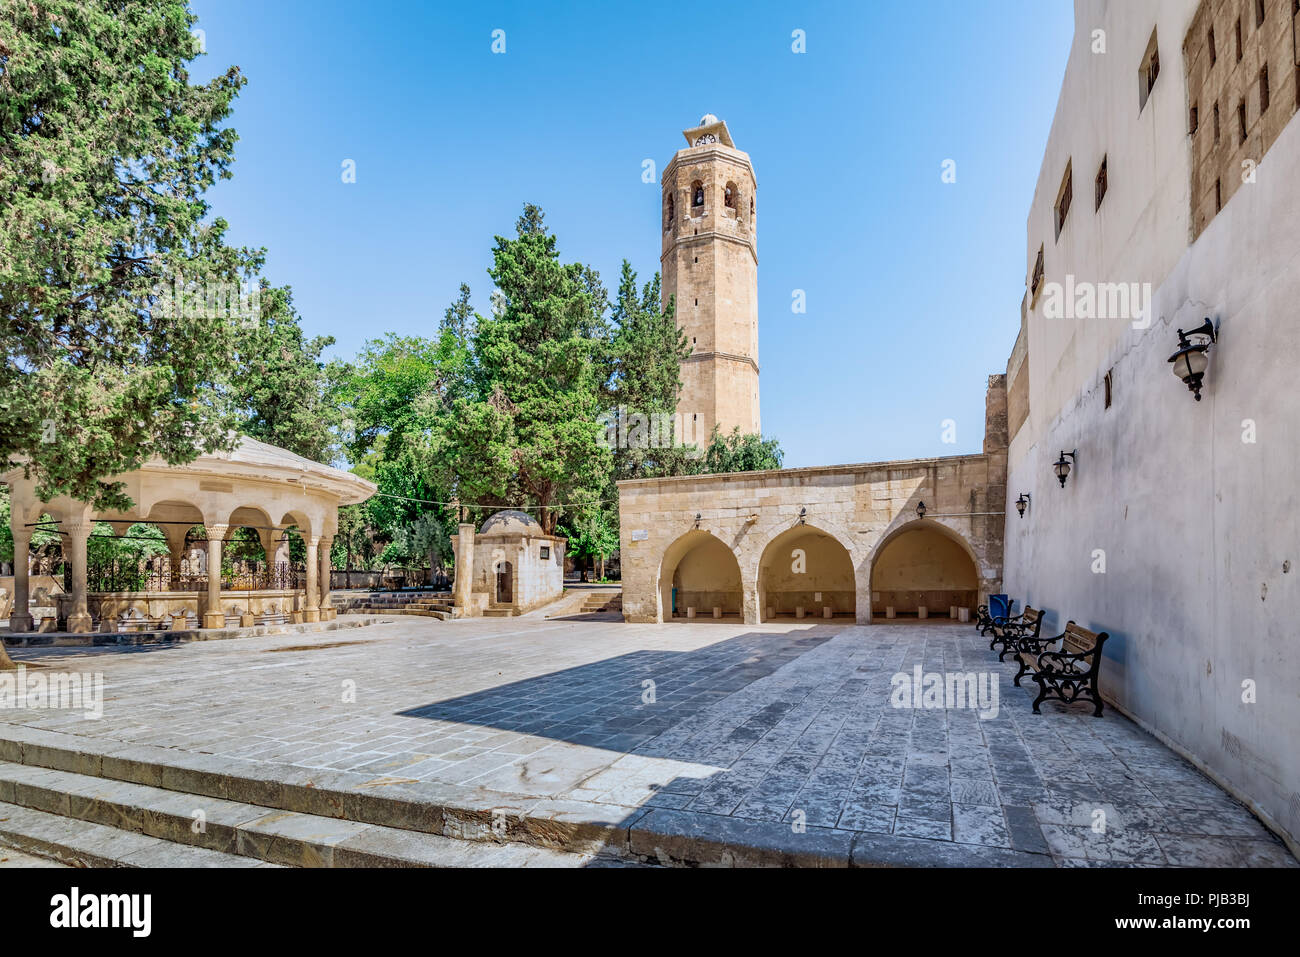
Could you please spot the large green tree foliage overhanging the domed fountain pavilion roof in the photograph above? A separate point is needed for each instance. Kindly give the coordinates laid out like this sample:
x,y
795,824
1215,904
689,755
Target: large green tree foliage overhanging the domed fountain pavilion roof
x,y
106,154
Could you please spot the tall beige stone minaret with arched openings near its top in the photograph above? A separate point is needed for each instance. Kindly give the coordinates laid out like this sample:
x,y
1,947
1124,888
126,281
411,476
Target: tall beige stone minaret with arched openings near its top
x,y
710,265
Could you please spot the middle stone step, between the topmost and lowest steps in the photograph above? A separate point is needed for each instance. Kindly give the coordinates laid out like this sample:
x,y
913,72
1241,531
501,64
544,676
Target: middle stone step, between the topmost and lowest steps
x,y
232,829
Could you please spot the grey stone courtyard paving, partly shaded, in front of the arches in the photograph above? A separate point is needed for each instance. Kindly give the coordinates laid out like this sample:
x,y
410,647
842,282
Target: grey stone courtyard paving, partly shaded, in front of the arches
x,y
777,725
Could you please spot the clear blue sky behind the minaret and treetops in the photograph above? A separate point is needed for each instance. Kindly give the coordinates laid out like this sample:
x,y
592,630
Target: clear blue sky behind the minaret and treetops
x,y
913,285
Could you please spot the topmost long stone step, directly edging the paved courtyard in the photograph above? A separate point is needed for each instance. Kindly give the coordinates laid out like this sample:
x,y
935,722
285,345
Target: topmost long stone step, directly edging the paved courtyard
x,y
603,834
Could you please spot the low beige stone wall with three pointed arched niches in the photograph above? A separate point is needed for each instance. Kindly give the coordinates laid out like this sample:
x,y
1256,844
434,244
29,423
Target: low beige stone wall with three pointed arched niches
x,y
861,508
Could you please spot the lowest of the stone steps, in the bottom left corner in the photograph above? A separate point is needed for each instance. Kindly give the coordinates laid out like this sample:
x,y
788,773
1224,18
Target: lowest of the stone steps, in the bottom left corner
x,y
85,845
